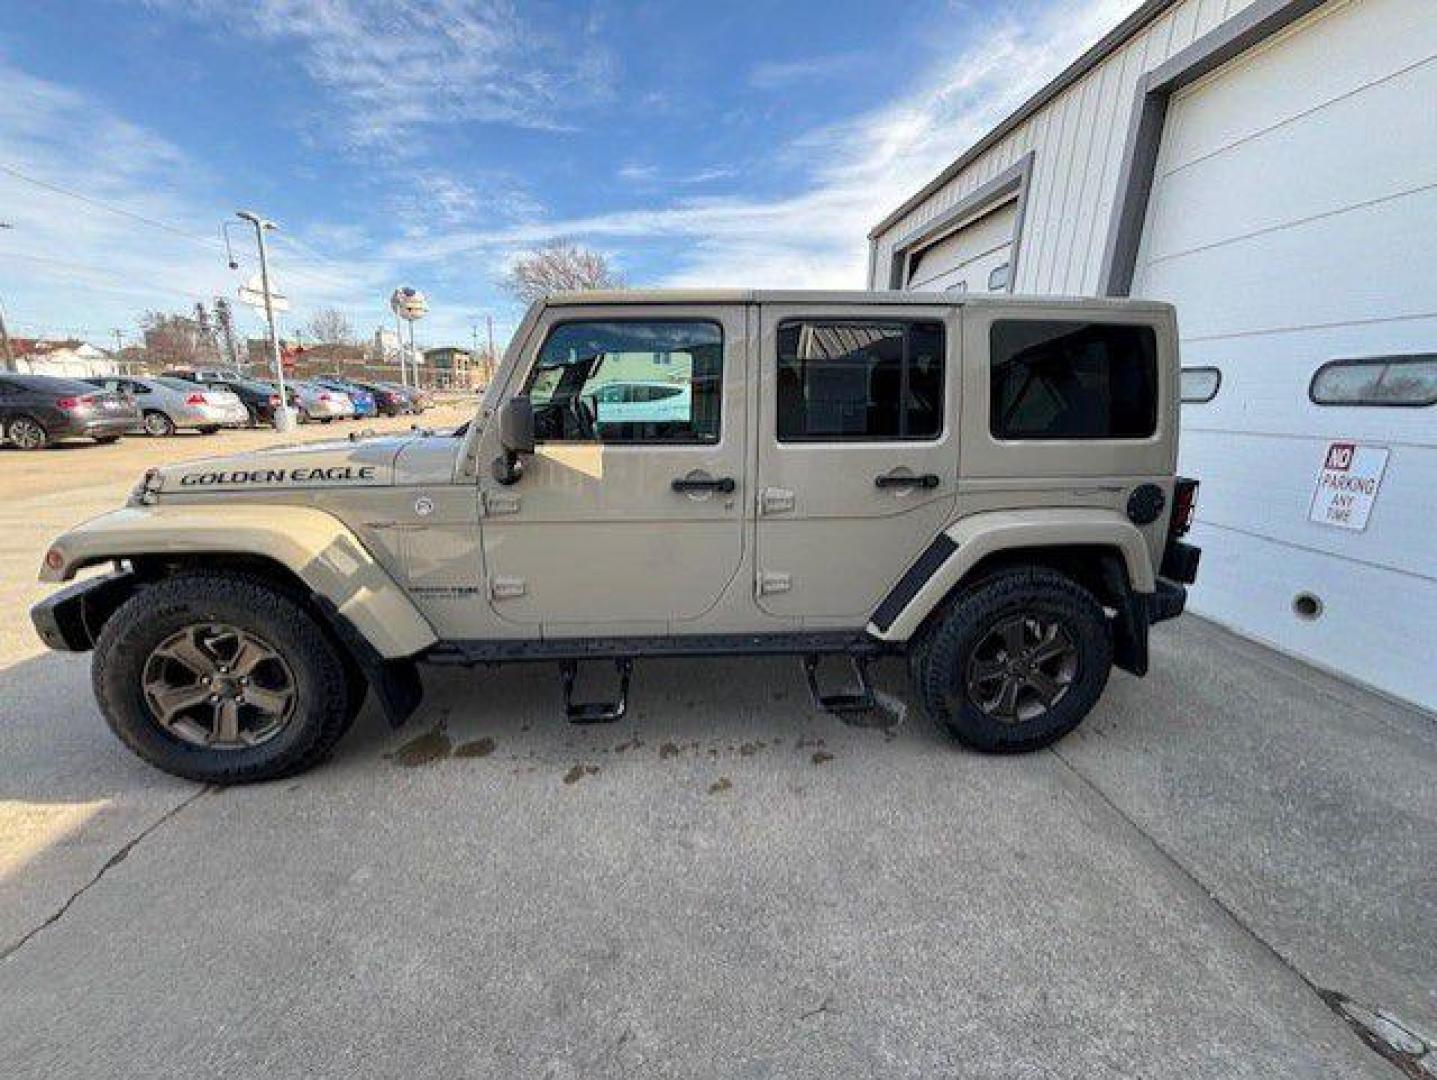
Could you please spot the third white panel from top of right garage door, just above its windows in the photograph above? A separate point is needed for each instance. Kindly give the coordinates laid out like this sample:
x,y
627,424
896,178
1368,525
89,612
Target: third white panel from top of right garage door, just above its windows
x,y
1366,265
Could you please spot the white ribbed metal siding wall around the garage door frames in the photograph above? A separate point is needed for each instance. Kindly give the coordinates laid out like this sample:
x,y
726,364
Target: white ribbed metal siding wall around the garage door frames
x,y
1080,139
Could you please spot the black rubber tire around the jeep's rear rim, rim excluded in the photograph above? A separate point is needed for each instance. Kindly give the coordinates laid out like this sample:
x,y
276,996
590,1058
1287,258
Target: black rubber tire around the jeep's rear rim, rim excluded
x,y
941,664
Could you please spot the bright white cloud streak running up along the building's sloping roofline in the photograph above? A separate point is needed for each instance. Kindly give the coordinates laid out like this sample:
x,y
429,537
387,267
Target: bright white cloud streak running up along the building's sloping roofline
x,y
857,170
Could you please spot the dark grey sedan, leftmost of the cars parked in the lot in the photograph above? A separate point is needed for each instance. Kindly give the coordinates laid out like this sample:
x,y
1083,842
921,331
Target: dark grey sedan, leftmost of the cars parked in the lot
x,y
38,411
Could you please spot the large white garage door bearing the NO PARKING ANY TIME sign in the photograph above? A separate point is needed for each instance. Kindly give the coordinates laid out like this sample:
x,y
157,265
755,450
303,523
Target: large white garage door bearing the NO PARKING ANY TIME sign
x,y
1294,222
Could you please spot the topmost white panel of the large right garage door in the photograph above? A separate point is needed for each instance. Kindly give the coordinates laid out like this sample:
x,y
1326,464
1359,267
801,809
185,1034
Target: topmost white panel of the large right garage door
x,y
1357,45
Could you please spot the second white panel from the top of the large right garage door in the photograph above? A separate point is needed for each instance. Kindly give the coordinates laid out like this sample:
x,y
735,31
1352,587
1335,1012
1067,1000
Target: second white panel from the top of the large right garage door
x,y
1363,149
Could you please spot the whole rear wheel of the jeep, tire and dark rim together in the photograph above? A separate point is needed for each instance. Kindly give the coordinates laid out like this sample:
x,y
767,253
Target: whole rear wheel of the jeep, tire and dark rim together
x,y
1017,663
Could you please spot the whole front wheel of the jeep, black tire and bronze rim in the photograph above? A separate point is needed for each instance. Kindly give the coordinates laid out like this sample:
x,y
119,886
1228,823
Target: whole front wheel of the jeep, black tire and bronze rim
x,y
222,679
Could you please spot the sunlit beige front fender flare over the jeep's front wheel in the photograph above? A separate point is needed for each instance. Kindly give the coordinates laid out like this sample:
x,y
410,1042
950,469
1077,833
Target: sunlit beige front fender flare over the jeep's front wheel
x,y
313,545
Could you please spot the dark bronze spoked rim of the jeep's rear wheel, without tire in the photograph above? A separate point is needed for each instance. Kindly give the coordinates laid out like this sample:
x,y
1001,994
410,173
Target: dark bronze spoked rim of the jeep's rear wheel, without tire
x,y
1022,669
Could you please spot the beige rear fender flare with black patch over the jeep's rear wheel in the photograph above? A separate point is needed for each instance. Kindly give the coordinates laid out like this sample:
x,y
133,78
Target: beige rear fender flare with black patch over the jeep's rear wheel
x,y
965,544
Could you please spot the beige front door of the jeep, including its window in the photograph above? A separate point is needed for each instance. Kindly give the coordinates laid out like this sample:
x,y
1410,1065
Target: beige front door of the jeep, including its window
x,y
629,518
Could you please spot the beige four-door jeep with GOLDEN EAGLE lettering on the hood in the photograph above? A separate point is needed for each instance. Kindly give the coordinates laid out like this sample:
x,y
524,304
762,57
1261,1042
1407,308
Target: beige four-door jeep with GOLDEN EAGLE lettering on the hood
x,y
985,486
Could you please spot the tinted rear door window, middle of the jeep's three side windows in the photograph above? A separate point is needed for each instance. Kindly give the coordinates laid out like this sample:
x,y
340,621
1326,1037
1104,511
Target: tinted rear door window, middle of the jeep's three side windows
x,y
860,381
